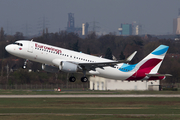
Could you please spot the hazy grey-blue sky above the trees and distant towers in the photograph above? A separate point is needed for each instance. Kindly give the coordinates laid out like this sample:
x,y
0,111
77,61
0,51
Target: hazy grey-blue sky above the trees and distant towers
x,y
27,16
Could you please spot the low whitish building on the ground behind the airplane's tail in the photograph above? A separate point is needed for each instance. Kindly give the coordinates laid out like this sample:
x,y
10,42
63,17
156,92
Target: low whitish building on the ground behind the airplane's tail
x,y
99,83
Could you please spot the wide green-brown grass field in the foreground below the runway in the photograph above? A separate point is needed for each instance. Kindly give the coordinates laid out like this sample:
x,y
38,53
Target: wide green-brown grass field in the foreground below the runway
x,y
90,108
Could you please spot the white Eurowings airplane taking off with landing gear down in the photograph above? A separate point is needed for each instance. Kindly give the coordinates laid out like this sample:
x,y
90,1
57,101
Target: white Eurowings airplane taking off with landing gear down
x,y
55,59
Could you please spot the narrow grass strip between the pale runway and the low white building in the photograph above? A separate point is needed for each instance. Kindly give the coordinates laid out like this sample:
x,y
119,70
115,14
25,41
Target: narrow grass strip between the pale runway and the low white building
x,y
78,91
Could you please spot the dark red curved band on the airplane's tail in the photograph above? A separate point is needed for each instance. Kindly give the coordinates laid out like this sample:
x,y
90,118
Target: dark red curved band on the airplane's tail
x,y
145,69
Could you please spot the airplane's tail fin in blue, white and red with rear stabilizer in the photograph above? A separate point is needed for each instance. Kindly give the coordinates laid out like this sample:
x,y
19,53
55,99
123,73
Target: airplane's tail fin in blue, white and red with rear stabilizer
x,y
150,64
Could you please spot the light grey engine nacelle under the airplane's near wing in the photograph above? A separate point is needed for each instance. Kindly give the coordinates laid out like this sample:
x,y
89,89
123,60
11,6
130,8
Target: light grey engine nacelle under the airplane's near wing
x,y
68,67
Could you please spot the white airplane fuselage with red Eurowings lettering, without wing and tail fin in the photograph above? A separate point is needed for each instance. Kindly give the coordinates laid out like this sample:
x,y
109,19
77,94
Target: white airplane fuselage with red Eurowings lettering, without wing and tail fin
x,y
51,55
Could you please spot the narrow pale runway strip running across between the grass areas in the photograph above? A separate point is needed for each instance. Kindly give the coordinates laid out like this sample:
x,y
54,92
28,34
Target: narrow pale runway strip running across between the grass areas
x,y
91,96
